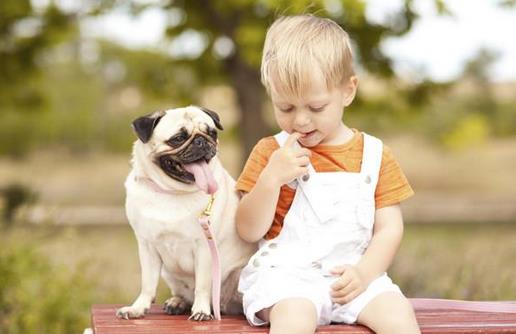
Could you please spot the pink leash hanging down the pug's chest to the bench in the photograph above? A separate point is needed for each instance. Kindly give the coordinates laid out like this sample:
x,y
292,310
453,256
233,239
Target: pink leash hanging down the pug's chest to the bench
x,y
204,221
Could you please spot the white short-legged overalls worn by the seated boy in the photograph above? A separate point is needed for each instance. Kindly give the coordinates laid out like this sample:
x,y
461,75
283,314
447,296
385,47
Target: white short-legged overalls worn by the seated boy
x,y
330,223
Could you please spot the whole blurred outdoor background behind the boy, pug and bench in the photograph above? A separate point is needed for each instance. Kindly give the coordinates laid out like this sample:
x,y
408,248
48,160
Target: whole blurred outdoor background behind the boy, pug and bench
x,y
437,84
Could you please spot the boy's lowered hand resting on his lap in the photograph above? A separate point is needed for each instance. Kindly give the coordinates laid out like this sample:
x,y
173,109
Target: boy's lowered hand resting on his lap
x,y
348,286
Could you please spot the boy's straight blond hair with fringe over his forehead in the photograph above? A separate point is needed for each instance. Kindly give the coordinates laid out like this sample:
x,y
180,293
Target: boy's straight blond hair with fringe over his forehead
x,y
296,46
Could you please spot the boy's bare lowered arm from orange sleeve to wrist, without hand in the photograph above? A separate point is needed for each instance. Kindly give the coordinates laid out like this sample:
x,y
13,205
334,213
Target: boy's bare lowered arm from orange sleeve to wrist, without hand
x,y
387,235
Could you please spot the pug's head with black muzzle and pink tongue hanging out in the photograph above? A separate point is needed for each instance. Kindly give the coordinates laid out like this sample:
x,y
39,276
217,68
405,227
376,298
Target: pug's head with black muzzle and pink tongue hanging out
x,y
182,142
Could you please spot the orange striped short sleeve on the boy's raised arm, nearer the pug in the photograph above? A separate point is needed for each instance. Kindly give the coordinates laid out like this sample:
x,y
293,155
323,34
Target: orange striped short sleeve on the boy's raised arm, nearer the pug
x,y
256,162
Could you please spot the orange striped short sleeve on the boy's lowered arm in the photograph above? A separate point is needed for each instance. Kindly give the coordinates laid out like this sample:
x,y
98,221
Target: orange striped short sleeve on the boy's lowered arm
x,y
393,186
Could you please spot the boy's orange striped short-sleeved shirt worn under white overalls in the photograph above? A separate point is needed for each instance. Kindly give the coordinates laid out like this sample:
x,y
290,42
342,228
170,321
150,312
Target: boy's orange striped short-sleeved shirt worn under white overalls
x,y
392,187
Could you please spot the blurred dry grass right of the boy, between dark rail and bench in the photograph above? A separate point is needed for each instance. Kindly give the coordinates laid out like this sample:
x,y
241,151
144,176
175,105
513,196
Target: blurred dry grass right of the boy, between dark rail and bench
x,y
465,263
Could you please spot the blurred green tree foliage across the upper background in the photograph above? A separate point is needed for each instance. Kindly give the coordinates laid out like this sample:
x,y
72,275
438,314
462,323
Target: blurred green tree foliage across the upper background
x,y
51,100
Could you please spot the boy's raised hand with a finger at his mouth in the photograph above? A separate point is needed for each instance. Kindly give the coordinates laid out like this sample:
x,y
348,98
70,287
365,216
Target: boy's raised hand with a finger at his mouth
x,y
288,162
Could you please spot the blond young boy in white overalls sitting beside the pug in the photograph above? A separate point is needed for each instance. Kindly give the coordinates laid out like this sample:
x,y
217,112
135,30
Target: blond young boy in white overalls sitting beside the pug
x,y
322,199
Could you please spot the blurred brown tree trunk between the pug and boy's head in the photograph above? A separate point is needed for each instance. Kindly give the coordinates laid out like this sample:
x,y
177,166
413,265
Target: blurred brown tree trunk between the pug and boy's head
x,y
246,82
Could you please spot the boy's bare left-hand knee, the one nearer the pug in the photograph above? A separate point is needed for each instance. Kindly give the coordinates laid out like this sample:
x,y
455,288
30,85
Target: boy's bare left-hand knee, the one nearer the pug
x,y
296,315
